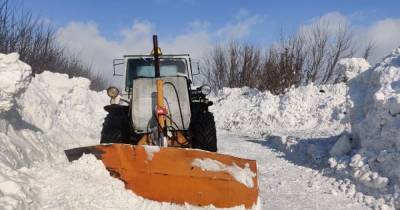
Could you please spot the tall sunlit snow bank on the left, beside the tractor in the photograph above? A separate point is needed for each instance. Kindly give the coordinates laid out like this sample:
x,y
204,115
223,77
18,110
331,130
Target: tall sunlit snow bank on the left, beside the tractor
x,y
39,118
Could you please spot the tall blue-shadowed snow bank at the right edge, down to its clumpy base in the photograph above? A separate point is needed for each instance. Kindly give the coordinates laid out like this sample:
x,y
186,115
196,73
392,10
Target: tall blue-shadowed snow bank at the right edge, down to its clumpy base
x,y
375,117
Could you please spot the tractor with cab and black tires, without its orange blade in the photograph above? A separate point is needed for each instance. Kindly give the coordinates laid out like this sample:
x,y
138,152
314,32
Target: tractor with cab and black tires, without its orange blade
x,y
159,86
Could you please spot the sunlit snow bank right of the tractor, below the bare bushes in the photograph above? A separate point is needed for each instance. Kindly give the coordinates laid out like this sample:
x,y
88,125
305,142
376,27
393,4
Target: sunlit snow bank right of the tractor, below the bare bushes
x,y
253,113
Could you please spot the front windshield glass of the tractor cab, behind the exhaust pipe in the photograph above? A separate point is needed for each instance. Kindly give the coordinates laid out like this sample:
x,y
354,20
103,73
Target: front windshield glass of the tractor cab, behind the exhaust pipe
x,y
144,67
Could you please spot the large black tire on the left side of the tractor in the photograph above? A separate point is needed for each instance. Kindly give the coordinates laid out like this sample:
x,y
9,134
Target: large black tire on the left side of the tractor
x,y
116,126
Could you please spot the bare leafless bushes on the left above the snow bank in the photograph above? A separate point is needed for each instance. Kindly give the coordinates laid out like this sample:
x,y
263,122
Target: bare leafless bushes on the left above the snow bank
x,y
36,45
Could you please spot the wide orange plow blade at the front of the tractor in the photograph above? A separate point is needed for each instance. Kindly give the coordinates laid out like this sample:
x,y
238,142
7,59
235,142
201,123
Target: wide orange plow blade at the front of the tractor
x,y
171,175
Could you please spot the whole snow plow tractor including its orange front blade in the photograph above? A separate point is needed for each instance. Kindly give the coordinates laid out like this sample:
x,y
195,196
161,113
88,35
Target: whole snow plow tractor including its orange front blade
x,y
160,138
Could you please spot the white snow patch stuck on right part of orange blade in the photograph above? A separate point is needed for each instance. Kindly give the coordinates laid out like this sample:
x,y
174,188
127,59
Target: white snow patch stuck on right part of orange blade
x,y
243,175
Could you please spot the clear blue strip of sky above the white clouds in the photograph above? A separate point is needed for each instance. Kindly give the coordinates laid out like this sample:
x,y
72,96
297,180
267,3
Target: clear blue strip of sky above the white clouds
x,y
171,18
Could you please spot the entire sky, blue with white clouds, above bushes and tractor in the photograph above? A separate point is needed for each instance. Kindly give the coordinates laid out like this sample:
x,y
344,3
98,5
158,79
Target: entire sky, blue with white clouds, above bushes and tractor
x,y
100,30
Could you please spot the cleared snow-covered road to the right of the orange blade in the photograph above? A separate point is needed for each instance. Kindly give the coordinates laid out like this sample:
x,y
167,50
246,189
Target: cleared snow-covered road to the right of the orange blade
x,y
284,185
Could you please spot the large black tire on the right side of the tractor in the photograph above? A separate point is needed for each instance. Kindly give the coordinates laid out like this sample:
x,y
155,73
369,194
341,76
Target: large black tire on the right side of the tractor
x,y
202,131
